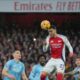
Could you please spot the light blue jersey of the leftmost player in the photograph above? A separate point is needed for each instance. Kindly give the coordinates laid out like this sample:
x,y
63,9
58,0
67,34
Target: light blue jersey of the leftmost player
x,y
14,68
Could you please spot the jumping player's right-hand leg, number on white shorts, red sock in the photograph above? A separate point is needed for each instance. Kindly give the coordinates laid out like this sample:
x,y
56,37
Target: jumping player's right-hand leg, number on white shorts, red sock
x,y
60,69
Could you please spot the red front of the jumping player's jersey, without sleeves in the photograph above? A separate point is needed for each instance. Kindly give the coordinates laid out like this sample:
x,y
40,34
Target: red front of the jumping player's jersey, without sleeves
x,y
56,47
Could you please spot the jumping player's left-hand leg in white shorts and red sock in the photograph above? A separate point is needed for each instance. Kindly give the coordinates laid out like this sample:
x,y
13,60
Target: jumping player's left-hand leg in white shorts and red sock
x,y
47,69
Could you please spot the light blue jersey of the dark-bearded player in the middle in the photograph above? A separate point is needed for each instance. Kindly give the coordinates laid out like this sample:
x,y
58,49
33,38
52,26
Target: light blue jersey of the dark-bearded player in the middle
x,y
35,73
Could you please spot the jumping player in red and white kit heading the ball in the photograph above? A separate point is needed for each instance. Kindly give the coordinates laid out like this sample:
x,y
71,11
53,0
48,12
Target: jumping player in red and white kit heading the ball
x,y
57,43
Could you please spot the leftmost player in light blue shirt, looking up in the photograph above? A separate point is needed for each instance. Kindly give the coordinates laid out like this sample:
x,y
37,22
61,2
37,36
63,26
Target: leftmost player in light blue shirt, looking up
x,y
14,69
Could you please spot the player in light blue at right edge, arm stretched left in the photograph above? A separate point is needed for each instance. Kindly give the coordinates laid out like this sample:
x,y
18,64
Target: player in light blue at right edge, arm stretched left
x,y
76,71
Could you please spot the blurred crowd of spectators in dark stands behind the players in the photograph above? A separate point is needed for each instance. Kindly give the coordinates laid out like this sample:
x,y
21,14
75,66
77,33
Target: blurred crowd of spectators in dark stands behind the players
x,y
29,42
